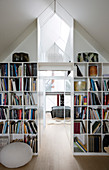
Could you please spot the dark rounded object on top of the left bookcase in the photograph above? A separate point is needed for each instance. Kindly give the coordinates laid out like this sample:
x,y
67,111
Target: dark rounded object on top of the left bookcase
x,y
20,57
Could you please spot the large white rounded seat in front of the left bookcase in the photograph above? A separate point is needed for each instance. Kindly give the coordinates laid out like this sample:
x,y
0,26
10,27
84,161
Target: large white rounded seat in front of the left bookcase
x,y
15,155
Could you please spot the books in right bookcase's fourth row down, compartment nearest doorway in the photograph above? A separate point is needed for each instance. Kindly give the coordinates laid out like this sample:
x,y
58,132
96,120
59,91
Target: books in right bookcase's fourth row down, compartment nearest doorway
x,y
80,112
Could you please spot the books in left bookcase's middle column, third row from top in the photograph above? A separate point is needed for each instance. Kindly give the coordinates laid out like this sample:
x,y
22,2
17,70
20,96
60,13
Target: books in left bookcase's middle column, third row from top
x,y
15,99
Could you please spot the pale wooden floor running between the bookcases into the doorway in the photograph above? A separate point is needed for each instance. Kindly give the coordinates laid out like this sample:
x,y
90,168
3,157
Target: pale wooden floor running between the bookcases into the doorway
x,y
55,154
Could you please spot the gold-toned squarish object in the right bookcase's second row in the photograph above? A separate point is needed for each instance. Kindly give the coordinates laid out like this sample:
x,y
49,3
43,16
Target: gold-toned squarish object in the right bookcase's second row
x,y
79,85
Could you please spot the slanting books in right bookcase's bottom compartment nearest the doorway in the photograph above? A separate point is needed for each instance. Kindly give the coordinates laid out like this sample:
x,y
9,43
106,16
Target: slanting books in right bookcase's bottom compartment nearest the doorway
x,y
80,147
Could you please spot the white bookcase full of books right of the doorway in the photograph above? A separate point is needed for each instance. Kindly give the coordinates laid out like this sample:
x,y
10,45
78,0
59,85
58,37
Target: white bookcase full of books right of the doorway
x,y
91,124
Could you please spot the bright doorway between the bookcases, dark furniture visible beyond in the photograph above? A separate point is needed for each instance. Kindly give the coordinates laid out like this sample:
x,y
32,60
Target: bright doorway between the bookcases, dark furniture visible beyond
x,y
57,97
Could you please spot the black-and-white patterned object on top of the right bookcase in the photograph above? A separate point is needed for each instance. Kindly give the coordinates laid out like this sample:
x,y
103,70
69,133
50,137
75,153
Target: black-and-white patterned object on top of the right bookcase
x,y
87,57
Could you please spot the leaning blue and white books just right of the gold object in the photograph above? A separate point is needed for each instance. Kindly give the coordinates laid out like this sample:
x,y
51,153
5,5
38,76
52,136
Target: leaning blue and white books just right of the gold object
x,y
94,85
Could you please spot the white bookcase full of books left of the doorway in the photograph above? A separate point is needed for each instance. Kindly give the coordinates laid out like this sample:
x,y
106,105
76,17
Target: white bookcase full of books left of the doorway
x,y
18,103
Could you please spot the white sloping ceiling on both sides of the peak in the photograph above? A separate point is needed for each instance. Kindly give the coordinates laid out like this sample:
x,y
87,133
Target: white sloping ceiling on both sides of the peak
x,y
17,15
